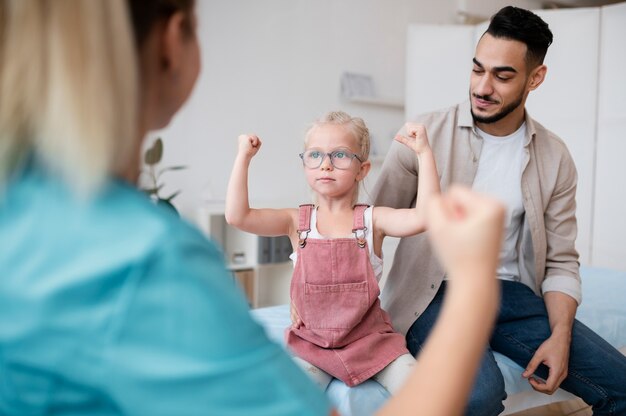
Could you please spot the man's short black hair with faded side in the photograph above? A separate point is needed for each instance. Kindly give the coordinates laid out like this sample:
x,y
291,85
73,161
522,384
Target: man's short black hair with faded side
x,y
524,26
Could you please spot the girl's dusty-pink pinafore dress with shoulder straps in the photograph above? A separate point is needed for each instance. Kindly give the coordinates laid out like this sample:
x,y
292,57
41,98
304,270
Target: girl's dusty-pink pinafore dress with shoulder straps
x,y
345,332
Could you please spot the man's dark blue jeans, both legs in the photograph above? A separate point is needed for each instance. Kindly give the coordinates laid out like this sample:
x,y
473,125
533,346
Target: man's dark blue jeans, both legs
x,y
597,371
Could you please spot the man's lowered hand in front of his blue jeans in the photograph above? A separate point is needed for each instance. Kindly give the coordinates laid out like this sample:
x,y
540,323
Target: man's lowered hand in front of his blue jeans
x,y
554,354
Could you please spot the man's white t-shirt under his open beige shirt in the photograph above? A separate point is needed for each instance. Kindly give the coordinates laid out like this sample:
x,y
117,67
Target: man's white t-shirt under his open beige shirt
x,y
500,175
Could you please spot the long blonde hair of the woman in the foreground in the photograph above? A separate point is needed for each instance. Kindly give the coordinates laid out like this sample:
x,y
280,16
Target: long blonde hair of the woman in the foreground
x,y
68,88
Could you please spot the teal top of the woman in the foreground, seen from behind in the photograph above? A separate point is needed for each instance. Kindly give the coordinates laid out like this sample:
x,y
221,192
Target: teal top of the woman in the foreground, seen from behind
x,y
112,305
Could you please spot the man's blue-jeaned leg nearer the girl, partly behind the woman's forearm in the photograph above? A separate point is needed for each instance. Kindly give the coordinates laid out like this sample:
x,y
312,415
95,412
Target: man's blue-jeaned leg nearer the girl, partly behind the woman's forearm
x,y
488,391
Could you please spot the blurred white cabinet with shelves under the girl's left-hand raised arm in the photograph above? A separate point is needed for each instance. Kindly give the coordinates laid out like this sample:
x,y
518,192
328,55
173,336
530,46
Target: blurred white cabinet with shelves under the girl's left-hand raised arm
x,y
259,264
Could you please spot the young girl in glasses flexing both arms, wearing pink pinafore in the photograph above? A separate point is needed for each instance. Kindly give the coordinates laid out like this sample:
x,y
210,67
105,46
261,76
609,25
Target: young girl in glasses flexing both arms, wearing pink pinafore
x,y
340,330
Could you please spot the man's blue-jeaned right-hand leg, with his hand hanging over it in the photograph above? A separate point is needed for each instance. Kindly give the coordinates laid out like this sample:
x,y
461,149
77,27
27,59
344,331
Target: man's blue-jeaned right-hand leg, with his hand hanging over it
x,y
597,371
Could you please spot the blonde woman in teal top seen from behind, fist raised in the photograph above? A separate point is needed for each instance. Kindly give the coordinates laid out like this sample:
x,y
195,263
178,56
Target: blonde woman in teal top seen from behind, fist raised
x,y
112,305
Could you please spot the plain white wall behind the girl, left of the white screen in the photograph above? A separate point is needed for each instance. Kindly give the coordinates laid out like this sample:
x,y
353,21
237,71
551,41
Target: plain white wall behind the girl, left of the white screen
x,y
271,67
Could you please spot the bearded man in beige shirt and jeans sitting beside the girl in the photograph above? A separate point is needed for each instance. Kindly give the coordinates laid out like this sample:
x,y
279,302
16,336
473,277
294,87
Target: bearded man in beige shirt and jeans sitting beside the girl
x,y
491,144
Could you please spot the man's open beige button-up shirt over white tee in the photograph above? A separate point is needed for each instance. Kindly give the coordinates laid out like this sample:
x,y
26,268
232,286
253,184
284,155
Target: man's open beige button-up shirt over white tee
x,y
547,256
